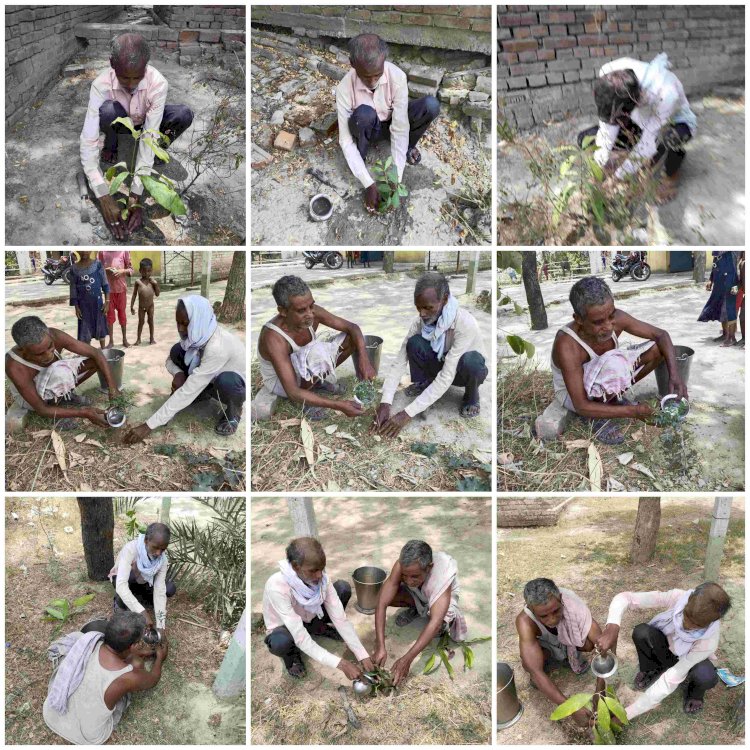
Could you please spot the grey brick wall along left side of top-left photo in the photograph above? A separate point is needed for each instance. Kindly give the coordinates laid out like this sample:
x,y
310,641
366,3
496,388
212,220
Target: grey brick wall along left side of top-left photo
x,y
39,39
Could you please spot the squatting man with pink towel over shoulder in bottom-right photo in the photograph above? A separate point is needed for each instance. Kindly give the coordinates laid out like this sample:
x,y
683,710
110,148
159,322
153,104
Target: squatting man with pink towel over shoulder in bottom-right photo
x,y
555,627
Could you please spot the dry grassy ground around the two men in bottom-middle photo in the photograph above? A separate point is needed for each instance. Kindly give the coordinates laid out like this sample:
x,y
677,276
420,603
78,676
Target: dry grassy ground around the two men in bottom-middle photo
x,y
426,709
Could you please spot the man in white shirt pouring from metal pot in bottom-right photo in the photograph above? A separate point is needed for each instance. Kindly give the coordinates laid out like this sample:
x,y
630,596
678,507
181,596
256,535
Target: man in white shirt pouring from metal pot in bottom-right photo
x,y
675,647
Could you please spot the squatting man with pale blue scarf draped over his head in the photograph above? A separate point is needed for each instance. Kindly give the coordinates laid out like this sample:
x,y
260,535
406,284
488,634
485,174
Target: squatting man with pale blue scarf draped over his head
x,y
208,362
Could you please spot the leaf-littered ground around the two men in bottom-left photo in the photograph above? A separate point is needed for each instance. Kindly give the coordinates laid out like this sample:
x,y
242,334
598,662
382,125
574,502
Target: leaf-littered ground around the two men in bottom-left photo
x,y
44,561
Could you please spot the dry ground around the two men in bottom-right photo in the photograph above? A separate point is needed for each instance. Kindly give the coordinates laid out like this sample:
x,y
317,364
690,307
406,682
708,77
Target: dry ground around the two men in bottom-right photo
x,y
588,553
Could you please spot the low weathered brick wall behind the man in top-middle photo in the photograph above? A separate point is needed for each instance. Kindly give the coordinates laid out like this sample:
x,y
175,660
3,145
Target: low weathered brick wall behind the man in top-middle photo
x,y
456,27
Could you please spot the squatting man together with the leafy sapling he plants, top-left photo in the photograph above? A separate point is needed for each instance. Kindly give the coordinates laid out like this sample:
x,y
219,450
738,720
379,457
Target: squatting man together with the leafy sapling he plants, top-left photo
x,y
130,97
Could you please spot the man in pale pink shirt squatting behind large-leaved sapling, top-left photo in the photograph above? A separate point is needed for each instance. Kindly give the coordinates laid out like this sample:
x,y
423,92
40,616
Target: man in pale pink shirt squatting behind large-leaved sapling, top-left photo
x,y
132,88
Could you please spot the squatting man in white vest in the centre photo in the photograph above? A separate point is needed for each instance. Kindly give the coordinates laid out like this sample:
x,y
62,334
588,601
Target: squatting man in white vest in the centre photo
x,y
296,363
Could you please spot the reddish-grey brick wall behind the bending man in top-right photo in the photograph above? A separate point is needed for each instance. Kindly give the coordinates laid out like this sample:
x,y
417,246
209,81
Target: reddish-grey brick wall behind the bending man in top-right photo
x,y
548,56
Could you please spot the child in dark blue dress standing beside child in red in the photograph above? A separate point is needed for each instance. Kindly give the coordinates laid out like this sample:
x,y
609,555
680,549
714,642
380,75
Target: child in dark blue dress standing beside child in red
x,y
88,281
